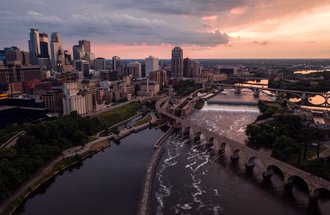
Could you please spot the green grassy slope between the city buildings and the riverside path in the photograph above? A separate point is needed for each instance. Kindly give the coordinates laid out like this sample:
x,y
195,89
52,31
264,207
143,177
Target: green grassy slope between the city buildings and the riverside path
x,y
119,114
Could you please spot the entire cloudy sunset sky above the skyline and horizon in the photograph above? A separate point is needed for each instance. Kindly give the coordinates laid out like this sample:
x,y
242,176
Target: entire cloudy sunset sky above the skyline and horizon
x,y
135,29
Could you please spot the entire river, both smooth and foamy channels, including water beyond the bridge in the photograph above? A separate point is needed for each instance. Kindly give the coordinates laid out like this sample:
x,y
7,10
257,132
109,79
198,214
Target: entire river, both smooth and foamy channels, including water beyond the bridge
x,y
188,180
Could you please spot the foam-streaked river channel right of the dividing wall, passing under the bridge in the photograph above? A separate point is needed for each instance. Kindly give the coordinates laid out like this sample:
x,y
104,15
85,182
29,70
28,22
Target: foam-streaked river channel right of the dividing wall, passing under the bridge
x,y
189,180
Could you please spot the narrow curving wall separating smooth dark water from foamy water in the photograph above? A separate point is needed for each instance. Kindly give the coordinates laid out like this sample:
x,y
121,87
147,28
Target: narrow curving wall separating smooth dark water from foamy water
x,y
146,188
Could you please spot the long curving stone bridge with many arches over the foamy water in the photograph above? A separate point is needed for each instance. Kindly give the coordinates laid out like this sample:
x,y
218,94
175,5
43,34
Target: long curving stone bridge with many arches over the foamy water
x,y
314,185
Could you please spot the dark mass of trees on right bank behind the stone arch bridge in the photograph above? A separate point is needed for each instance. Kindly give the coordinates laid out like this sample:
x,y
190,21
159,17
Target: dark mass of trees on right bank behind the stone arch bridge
x,y
290,139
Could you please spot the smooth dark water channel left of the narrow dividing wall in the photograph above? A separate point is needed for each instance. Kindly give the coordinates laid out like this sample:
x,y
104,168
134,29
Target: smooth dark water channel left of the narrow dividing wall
x,y
108,183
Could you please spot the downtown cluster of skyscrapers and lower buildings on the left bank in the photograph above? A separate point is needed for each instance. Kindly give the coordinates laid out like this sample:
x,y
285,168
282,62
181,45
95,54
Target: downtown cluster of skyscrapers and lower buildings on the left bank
x,y
59,81
